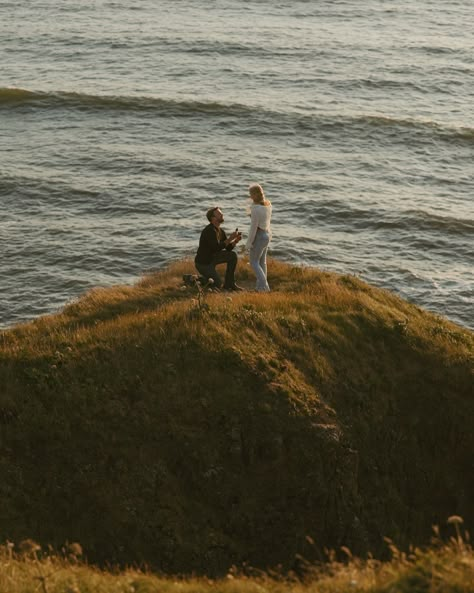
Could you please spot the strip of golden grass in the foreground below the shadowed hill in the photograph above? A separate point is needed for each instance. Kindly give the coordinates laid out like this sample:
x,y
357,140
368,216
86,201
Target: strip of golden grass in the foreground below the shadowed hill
x,y
442,568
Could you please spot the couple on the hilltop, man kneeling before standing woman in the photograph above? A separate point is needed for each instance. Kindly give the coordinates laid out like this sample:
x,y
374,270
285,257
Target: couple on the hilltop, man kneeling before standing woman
x,y
216,248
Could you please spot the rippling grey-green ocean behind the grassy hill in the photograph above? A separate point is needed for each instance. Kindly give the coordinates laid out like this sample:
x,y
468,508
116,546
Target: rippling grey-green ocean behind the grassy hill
x,y
122,122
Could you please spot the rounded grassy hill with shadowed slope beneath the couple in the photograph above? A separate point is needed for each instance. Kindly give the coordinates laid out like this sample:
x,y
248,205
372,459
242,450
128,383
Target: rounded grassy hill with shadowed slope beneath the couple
x,y
251,428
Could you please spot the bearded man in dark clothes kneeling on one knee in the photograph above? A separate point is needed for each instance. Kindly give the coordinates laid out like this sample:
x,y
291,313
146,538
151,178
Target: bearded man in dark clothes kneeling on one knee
x,y
216,248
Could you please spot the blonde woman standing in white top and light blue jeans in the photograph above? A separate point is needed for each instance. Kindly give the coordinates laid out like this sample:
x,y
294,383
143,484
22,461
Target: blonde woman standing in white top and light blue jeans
x,y
259,235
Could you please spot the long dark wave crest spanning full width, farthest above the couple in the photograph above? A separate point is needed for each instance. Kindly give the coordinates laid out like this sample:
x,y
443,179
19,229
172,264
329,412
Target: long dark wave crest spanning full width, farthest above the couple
x,y
294,120
